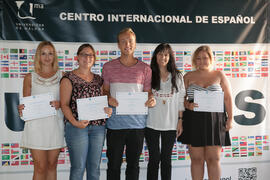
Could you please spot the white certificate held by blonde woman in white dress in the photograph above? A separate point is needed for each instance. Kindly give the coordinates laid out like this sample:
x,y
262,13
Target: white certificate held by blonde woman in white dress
x,y
37,106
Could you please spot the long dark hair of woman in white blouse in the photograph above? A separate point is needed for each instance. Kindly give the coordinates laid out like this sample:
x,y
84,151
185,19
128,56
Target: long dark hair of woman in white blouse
x,y
171,67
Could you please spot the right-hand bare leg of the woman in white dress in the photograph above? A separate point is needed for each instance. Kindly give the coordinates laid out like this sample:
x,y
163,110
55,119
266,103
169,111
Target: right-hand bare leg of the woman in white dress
x,y
52,164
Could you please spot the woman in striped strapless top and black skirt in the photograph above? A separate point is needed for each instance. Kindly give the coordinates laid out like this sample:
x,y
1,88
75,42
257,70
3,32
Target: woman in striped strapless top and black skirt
x,y
206,132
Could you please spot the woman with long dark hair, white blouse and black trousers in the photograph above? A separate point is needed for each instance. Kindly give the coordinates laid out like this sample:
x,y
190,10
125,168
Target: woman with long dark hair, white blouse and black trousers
x,y
165,119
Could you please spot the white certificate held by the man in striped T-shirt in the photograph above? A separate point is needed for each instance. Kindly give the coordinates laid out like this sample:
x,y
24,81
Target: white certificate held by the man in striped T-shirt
x,y
131,103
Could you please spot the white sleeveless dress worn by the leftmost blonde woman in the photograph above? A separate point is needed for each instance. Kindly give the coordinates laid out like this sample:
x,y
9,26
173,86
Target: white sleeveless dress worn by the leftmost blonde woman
x,y
44,133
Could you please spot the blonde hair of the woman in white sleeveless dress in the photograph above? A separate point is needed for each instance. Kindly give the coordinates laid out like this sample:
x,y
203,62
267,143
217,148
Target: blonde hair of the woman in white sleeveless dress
x,y
37,64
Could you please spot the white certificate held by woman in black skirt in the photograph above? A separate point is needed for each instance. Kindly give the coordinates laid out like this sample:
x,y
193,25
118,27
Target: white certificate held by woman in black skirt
x,y
209,101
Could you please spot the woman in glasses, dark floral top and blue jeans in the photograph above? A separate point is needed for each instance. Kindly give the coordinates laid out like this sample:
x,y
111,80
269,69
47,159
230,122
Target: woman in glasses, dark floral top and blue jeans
x,y
84,138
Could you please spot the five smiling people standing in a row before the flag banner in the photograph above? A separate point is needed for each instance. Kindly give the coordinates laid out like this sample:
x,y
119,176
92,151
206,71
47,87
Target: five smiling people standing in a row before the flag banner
x,y
171,113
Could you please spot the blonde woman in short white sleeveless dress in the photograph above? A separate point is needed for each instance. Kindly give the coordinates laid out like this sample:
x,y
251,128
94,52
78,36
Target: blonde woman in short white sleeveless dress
x,y
44,136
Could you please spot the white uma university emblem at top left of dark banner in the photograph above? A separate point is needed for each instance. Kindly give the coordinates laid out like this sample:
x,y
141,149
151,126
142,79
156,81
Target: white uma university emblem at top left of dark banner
x,y
28,7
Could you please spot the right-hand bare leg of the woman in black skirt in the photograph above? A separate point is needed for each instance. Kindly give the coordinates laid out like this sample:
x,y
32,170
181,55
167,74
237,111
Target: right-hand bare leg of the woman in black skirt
x,y
212,157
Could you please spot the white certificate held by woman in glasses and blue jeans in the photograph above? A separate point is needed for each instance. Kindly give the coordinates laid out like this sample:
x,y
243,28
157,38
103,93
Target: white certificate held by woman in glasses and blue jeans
x,y
92,108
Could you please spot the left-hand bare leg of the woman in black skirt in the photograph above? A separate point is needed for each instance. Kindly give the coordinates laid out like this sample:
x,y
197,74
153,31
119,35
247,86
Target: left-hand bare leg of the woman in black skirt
x,y
197,162
